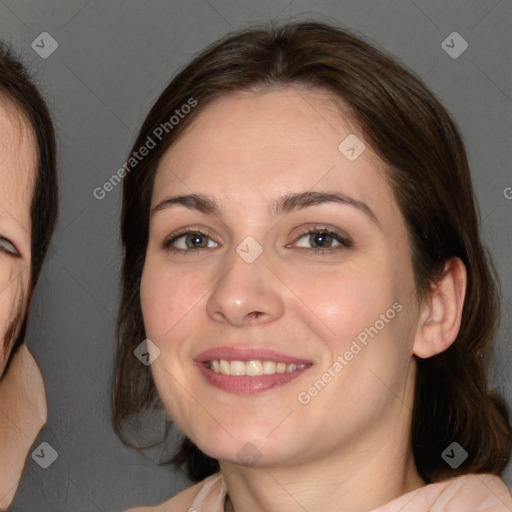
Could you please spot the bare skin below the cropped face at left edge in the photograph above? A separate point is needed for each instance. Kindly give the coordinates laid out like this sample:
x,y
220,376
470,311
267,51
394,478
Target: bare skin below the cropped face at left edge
x,y
22,415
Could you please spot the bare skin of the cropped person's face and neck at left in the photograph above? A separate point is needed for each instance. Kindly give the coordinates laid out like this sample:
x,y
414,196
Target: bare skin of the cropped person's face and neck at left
x,y
22,395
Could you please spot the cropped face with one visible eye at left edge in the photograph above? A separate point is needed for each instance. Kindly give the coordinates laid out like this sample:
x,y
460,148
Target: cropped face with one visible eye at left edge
x,y
17,171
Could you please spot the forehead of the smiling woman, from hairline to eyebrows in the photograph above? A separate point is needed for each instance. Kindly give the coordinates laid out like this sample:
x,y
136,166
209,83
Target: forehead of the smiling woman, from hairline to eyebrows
x,y
269,143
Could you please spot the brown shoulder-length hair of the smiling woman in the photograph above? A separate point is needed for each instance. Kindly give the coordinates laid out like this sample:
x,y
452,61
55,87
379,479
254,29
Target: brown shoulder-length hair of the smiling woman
x,y
413,134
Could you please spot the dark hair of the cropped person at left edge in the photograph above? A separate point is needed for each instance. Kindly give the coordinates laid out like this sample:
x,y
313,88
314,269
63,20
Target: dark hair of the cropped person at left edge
x,y
20,94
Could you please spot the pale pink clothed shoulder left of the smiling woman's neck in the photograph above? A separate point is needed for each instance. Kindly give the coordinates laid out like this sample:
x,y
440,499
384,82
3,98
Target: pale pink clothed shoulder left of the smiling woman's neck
x,y
210,490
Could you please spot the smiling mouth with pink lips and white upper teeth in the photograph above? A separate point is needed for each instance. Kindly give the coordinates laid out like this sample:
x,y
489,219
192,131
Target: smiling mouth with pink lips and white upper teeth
x,y
248,371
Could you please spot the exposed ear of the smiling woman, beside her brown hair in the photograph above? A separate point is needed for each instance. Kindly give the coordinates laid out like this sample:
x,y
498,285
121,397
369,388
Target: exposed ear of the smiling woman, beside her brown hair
x,y
441,313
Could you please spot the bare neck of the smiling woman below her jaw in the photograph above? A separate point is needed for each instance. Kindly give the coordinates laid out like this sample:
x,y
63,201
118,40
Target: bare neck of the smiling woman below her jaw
x,y
358,476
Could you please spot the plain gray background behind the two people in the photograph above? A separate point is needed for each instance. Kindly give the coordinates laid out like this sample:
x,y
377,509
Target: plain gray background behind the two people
x,y
113,60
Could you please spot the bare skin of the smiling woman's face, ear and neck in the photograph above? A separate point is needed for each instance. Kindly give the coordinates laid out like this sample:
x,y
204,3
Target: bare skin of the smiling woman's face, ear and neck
x,y
352,440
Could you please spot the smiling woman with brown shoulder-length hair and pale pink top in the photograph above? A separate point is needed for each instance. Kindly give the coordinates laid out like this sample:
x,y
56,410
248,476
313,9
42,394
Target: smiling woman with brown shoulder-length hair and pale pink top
x,y
316,186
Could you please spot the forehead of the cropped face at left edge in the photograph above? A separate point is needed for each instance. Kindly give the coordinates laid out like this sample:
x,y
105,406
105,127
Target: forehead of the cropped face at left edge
x,y
18,161
